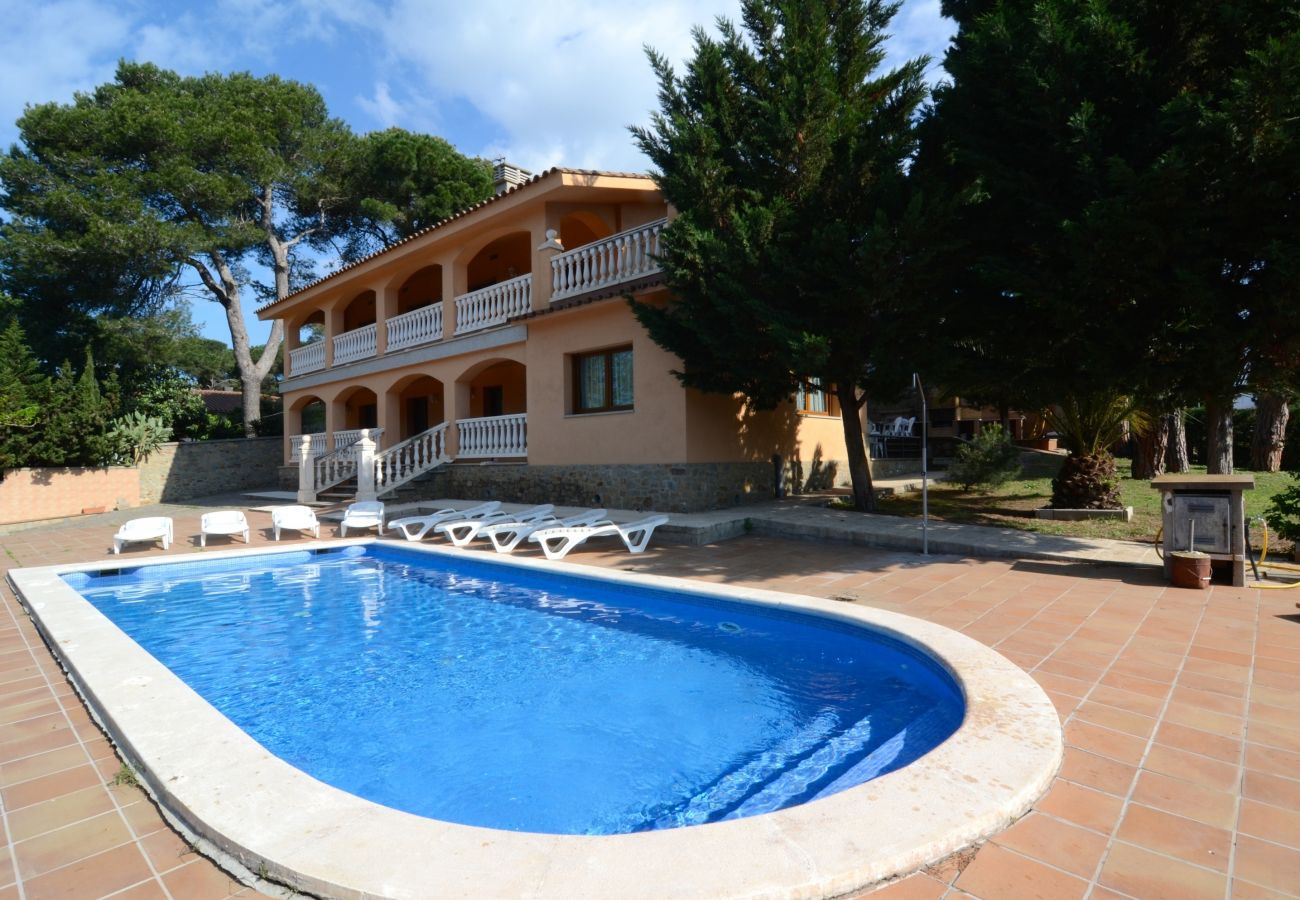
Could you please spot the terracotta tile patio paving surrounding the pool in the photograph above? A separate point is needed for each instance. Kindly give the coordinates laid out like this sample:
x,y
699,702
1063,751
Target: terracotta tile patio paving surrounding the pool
x,y
1181,713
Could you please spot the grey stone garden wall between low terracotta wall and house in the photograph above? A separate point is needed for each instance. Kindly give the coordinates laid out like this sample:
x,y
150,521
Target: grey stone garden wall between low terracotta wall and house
x,y
183,471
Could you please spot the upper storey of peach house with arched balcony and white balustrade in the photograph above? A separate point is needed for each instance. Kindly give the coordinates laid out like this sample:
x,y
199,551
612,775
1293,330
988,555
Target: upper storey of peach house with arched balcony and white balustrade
x,y
556,240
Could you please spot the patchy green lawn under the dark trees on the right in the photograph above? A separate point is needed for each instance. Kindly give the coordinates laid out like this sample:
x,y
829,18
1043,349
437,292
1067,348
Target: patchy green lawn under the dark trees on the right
x,y
1012,505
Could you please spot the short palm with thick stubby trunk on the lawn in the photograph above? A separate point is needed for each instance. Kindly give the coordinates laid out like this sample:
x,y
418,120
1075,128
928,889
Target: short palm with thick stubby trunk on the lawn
x,y
1091,426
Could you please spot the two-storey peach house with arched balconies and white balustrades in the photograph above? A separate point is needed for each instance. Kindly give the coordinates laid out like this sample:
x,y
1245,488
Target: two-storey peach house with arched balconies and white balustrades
x,y
501,340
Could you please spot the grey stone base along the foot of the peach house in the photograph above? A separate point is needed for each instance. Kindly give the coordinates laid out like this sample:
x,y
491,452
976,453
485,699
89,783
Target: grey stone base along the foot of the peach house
x,y
684,488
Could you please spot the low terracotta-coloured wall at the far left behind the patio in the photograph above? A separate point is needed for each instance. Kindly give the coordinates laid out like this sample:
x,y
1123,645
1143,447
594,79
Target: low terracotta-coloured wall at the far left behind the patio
x,y
32,495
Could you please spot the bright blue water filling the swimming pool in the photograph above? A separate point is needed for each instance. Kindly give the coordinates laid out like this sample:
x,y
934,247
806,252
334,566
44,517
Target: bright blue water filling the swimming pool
x,y
532,702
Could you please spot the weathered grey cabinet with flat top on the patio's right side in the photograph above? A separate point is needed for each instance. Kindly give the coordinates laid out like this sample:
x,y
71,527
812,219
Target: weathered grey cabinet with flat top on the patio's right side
x,y
1206,513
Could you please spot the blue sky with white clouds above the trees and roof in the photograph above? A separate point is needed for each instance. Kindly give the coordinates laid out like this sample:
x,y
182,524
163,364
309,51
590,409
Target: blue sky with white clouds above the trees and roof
x,y
552,84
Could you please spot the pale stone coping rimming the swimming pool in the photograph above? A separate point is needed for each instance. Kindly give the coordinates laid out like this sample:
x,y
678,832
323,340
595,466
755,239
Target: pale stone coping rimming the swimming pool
x,y
261,815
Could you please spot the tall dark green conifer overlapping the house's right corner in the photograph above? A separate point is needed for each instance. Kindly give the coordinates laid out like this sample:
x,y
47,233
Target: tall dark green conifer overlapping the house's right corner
x,y
799,246
